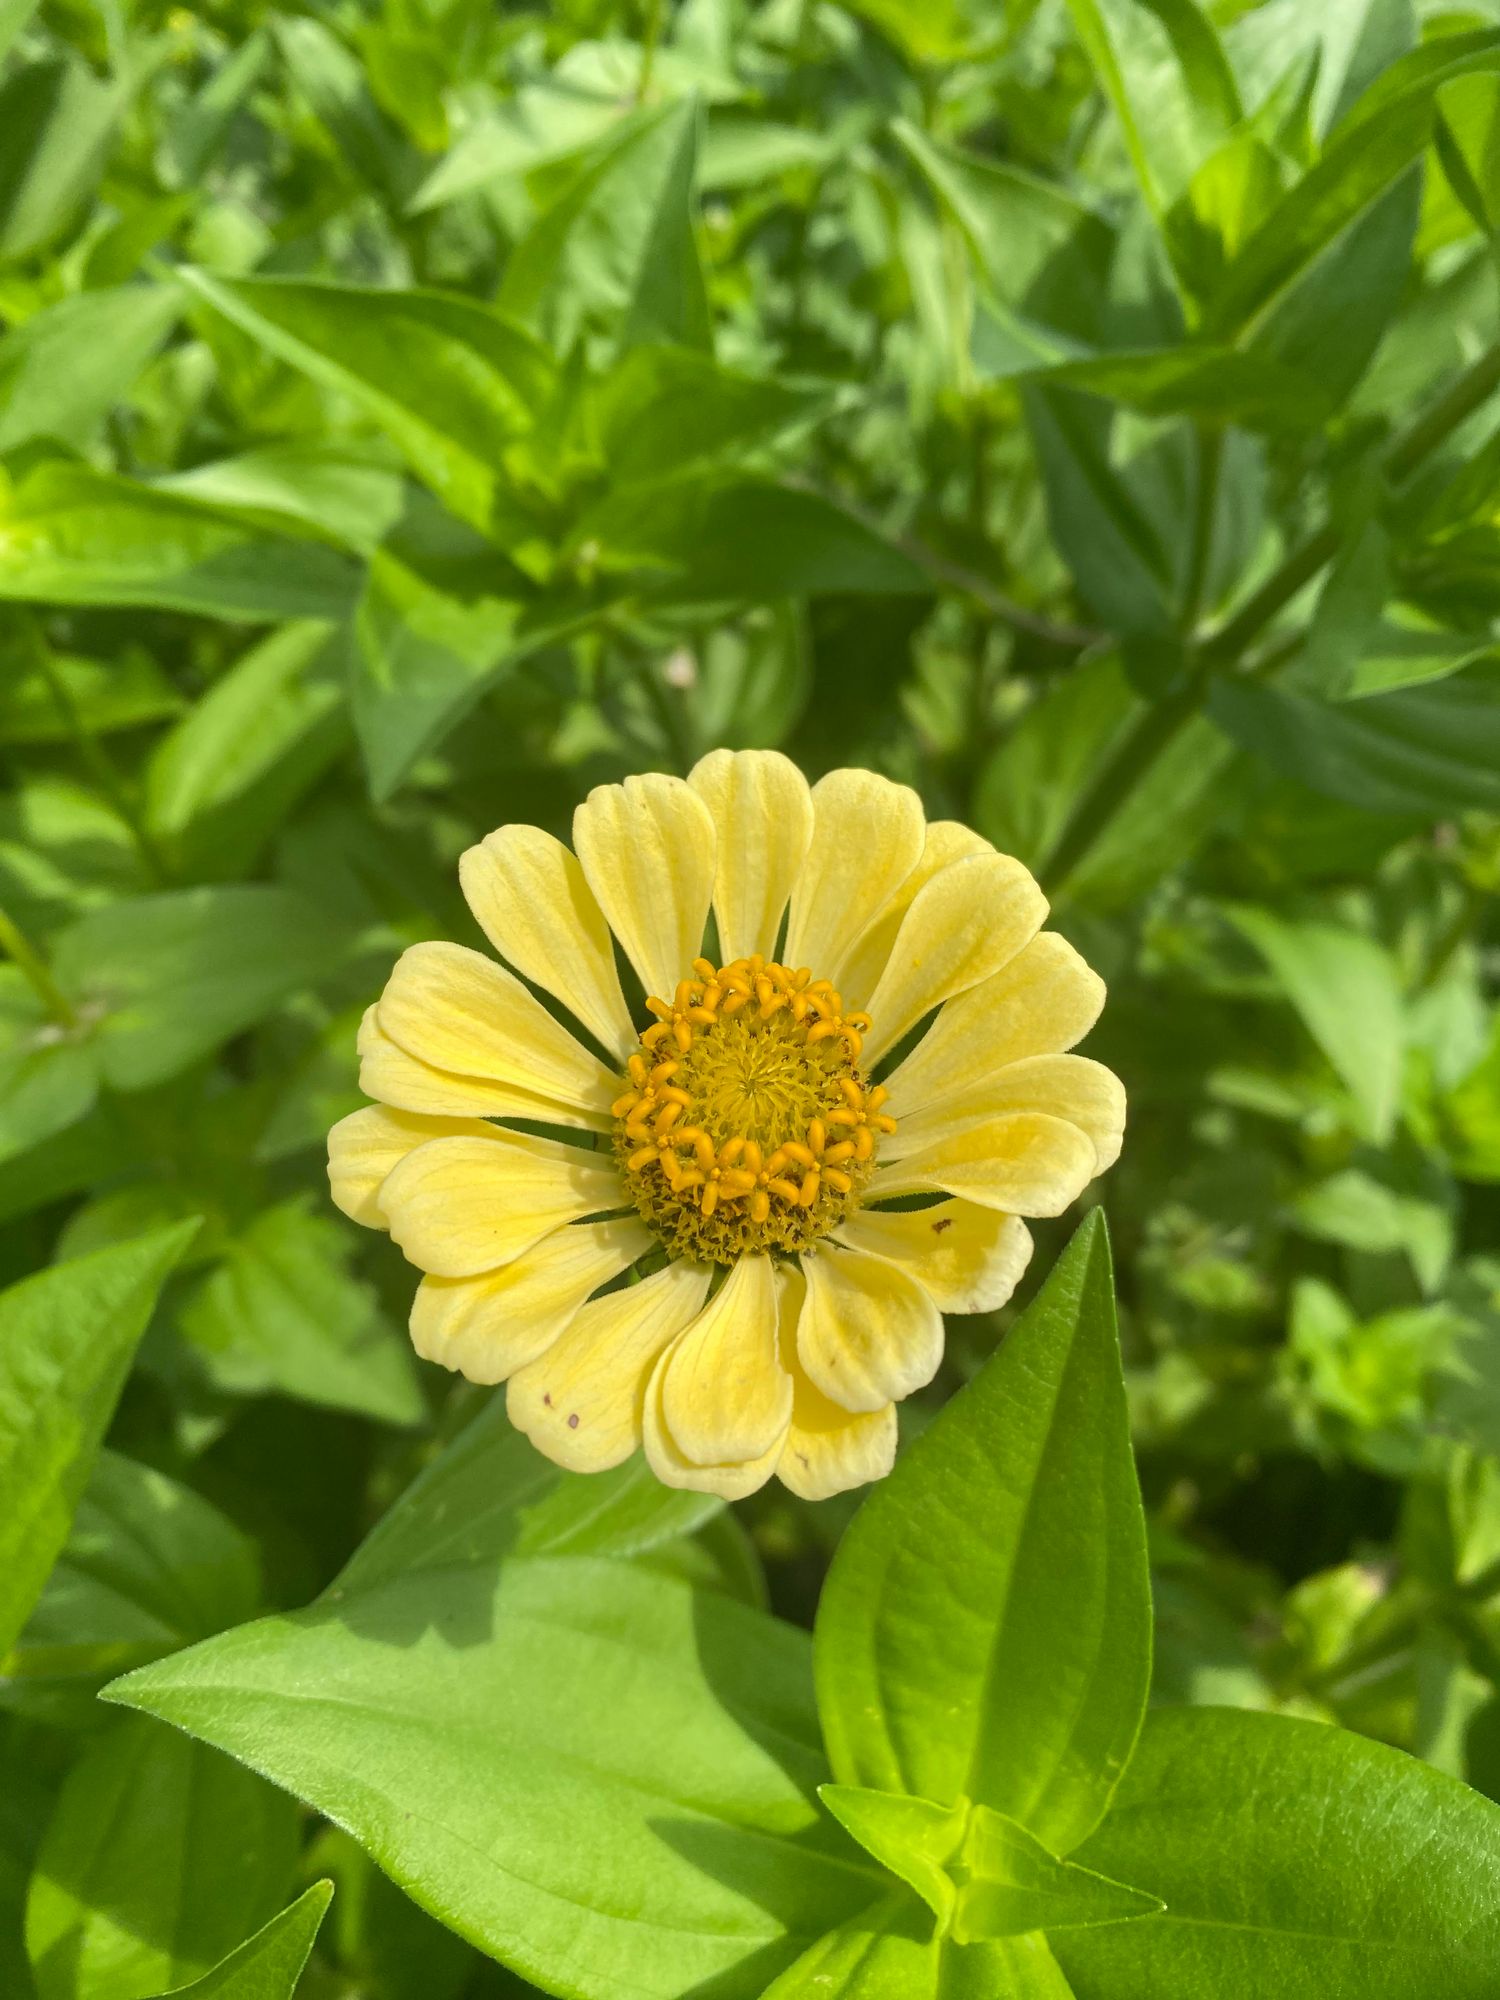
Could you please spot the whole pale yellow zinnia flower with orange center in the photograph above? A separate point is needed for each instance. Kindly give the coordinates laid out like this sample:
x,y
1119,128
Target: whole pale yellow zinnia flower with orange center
x,y
735,1141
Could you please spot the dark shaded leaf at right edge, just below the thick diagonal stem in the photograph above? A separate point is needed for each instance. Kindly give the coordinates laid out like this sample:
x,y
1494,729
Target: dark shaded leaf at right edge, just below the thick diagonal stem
x,y
1427,751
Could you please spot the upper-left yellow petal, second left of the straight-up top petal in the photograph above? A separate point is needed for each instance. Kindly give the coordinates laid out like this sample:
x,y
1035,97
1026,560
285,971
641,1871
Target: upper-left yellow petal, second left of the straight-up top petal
x,y
533,903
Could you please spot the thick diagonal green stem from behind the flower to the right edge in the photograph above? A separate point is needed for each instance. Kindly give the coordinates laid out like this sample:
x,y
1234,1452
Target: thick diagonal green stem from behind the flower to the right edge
x,y
1161,725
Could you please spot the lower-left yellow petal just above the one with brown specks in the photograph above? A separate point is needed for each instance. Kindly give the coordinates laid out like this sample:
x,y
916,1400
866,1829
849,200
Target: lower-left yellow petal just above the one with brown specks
x,y
493,1325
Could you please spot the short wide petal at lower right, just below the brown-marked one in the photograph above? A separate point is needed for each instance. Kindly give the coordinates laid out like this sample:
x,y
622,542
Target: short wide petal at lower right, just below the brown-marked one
x,y
869,1335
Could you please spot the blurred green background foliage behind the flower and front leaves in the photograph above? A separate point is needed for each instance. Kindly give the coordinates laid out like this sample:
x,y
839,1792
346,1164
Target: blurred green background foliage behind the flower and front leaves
x,y
417,413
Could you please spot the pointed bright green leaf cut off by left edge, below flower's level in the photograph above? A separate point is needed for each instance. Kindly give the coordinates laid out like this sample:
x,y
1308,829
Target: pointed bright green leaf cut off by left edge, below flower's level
x,y
67,1339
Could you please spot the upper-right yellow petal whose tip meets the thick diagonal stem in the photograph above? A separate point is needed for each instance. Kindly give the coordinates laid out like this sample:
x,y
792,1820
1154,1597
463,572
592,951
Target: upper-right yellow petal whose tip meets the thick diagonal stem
x,y
963,927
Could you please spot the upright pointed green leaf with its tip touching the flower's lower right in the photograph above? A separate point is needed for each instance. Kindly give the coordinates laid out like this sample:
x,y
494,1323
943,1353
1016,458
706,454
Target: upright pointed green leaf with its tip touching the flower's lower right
x,y
1013,1527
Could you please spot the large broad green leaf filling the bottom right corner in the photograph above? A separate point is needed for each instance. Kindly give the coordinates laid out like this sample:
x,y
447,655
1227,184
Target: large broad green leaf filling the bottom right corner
x,y
1295,1861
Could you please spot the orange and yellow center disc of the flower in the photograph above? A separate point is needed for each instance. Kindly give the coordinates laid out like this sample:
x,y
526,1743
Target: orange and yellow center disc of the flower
x,y
747,1123
